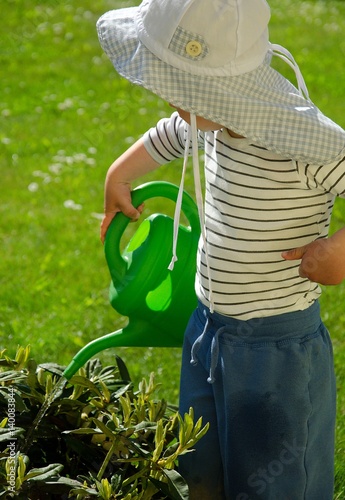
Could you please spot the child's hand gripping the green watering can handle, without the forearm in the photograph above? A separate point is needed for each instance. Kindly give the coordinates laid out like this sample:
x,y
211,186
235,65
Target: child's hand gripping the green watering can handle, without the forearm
x,y
121,201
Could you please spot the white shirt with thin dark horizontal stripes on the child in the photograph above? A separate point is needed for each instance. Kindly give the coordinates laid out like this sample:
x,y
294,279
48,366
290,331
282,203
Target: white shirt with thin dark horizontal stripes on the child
x,y
257,204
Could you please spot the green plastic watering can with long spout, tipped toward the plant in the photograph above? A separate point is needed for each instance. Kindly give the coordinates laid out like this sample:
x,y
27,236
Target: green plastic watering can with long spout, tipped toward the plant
x,y
157,301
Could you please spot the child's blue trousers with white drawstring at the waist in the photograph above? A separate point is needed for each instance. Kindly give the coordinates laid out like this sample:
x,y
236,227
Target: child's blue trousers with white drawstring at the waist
x,y
267,388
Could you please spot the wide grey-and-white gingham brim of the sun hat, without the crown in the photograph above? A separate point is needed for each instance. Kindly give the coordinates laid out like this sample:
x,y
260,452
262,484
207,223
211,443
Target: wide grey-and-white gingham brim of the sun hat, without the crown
x,y
261,105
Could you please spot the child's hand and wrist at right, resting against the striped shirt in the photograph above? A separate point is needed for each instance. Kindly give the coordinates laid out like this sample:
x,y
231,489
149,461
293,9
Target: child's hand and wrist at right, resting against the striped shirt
x,y
322,261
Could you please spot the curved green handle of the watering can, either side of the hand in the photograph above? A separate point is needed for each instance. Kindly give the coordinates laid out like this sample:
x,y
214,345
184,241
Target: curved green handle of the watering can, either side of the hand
x,y
120,221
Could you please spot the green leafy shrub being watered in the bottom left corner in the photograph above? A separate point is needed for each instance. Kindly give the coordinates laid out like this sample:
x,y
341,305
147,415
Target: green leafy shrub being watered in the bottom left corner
x,y
90,437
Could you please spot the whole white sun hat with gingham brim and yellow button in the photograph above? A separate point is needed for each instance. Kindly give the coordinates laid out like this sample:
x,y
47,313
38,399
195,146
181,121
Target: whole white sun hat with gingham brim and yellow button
x,y
212,59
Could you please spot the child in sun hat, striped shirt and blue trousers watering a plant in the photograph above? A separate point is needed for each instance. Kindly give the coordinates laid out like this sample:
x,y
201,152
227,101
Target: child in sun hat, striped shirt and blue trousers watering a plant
x,y
257,360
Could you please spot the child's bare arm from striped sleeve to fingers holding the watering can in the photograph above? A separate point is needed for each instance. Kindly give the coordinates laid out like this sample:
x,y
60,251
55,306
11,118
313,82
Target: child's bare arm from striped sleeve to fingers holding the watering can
x,y
131,165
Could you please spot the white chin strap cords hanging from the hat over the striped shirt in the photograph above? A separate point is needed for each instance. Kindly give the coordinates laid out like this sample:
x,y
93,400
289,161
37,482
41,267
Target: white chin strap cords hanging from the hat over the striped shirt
x,y
192,136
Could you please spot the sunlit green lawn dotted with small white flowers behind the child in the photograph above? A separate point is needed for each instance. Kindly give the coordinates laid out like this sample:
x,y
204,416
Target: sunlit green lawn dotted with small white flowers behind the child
x,y
65,116
